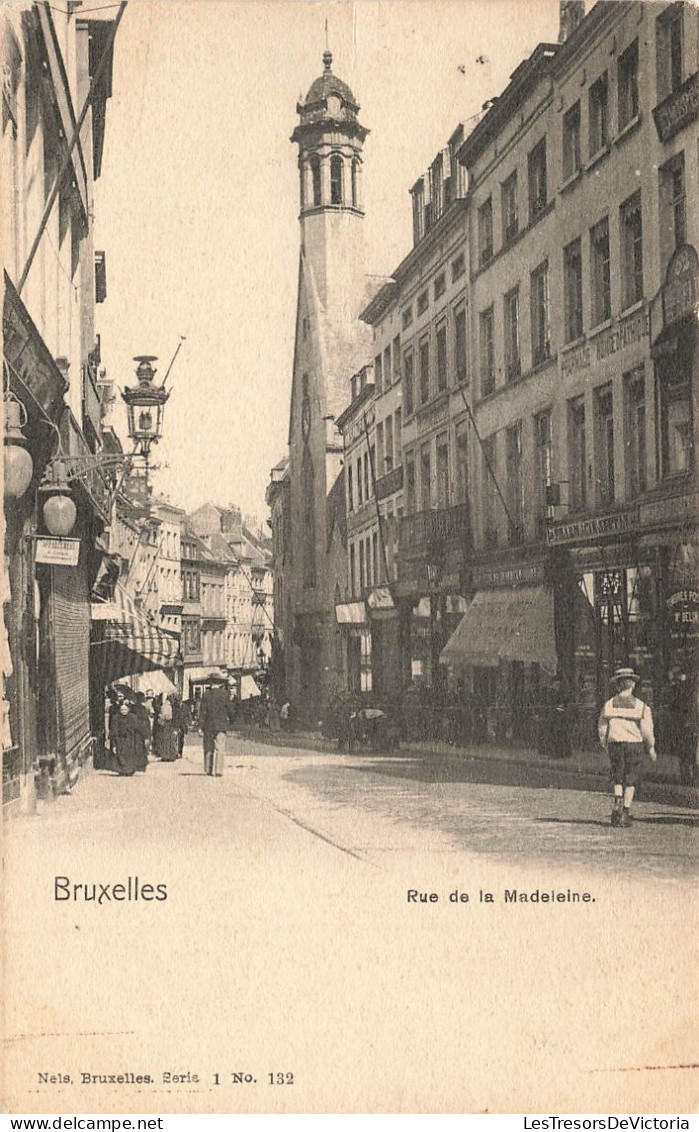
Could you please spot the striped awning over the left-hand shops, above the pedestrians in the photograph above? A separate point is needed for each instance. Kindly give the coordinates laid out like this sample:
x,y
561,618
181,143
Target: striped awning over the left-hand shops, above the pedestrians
x,y
125,642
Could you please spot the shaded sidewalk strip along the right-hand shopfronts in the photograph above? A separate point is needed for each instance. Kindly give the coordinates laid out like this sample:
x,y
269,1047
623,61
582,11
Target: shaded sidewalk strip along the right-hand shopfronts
x,y
585,770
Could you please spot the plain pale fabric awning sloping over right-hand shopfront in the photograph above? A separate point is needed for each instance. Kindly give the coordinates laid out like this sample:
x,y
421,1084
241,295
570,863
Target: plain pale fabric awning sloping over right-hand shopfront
x,y
506,625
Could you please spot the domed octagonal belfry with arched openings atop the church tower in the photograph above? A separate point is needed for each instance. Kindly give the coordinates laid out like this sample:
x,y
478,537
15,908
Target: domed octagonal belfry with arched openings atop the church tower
x,y
330,139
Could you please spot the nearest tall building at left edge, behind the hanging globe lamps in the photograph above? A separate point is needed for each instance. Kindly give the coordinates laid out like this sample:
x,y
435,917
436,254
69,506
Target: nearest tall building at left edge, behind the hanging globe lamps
x,y
55,278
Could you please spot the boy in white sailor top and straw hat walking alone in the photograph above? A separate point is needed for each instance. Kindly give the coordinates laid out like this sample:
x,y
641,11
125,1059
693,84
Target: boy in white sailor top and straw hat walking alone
x,y
626,733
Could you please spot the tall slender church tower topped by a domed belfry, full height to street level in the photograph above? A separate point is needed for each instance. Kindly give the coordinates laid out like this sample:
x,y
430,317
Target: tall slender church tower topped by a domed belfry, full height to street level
x,y
331,345
